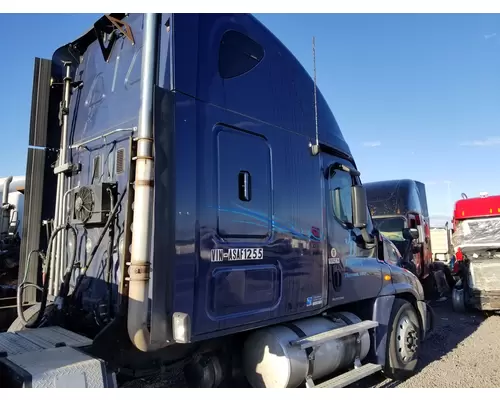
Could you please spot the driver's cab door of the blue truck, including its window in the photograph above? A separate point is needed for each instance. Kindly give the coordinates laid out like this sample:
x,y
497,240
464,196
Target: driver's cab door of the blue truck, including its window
x,y
354,271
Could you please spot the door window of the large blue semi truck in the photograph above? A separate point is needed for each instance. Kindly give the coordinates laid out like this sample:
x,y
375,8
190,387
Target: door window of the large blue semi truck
x,y
340,196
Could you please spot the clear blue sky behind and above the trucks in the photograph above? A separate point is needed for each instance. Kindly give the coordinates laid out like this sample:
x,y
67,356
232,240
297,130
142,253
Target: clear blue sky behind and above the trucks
x,y
416,95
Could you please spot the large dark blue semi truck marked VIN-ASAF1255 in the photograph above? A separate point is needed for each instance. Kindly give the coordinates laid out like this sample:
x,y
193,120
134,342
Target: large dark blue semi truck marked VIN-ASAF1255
x,y
191,201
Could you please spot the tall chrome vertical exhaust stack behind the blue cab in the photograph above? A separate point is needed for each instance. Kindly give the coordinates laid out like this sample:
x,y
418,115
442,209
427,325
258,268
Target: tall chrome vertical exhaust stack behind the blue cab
x,y
142,229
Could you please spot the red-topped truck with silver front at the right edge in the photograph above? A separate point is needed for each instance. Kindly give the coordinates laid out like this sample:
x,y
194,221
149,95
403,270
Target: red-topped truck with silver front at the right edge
x,y
476,243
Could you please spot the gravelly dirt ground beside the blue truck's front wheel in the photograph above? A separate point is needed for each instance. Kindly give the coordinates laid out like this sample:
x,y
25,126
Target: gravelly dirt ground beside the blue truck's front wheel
x,y
462,352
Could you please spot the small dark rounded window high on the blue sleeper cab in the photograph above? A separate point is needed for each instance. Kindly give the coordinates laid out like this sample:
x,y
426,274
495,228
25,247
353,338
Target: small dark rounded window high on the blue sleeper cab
x,y
238,54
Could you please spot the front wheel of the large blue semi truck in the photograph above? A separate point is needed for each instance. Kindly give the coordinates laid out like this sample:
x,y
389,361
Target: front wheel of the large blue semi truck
x,y
403,344
